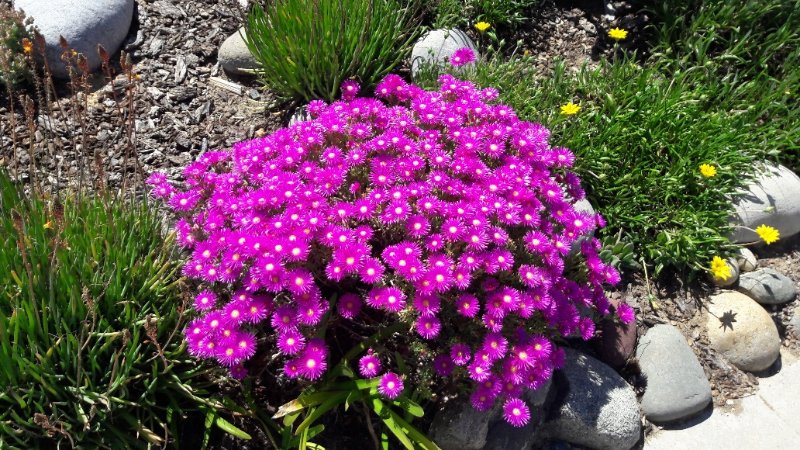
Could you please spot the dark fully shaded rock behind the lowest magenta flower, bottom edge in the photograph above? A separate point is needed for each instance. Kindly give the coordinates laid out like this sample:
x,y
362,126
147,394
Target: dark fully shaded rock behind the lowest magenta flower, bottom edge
x,y
503,436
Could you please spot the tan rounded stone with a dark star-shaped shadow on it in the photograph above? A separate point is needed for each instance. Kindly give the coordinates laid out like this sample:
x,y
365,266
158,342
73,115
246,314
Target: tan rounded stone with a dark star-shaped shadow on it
x,y
742,331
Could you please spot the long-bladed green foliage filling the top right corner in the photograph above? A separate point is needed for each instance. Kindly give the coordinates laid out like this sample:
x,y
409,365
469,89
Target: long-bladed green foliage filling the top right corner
x,y
743,56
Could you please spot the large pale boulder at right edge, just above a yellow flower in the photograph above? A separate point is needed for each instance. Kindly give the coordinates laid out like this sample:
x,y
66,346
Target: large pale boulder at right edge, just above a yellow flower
x,y
772,199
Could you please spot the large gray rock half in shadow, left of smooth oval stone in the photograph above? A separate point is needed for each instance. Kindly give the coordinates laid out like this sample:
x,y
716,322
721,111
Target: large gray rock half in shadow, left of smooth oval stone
x,y
596,409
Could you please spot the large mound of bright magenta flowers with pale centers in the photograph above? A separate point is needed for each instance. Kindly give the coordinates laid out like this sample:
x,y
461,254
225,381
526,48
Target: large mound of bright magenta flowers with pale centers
x,y
441,210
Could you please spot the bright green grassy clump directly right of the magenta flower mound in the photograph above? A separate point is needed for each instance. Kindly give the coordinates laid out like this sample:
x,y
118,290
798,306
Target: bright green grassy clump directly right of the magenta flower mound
x,y
640,137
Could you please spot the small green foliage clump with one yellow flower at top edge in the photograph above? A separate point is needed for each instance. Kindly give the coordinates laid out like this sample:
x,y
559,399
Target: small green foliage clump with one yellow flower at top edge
x,y
503,14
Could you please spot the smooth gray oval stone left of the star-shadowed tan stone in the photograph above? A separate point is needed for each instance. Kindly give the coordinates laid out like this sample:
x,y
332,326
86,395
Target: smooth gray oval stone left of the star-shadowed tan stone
x,y
676,384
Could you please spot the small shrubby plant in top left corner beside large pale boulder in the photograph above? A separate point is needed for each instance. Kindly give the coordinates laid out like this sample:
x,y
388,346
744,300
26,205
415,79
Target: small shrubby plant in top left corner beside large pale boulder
x,y
13,29
